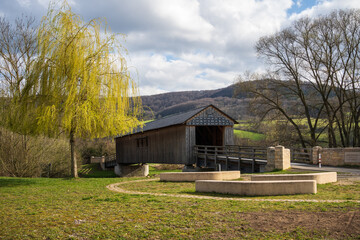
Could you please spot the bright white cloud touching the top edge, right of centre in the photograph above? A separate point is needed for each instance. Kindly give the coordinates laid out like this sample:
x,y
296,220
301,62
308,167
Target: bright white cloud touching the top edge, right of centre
x,y
246,20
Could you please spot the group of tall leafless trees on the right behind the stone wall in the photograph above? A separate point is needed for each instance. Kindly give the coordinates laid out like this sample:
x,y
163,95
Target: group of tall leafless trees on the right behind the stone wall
x,y
313,79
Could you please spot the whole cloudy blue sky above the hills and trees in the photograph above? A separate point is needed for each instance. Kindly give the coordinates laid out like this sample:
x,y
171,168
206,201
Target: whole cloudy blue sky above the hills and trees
x,y
178,45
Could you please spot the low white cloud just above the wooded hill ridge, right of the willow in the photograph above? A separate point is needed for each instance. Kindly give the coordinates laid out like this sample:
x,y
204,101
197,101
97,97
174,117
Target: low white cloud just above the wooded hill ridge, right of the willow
x,y
158,72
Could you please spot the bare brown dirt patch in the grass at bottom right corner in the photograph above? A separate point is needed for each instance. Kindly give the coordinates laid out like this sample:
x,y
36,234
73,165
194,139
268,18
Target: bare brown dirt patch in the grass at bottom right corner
x,y
338,225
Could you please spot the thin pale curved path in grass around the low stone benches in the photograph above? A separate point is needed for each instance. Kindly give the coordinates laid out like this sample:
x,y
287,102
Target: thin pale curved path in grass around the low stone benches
x,y
116,188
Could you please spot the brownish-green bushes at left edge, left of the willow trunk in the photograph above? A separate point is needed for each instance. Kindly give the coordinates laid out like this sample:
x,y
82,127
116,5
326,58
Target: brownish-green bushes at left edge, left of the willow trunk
x,y
24,156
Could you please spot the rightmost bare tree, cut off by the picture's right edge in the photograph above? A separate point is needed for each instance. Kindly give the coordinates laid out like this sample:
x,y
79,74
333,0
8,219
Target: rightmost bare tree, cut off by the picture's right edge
x,y
346,79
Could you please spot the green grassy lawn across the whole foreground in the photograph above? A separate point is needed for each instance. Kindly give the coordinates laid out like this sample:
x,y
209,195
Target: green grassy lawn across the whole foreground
x,y
42,208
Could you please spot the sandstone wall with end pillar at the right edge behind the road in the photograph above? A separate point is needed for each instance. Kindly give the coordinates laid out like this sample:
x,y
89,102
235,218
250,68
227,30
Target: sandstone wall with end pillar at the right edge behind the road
x,y
336,156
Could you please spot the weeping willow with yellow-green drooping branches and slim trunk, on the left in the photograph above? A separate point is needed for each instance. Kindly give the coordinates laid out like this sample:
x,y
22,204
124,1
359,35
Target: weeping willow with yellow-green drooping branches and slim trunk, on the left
x,y
80,85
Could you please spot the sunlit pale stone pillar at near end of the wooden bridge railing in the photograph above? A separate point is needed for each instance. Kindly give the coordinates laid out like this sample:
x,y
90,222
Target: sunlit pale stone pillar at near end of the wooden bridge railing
x,y
277,158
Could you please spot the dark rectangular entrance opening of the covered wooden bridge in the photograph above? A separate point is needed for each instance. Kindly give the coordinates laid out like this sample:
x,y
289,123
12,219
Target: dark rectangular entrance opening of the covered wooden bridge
x,y
210,135
